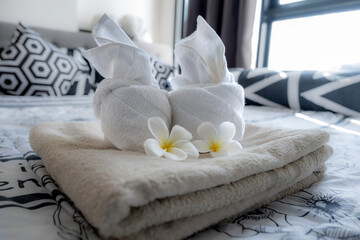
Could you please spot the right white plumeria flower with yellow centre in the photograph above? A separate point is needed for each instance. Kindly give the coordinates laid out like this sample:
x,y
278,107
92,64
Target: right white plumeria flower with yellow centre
x,y
217,142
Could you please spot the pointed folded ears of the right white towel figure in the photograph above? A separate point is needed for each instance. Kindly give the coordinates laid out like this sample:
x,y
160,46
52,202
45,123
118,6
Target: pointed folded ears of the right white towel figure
x,y
201,57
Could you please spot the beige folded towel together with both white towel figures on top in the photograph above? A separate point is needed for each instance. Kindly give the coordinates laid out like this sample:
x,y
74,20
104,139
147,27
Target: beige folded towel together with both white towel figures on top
x,y
128,194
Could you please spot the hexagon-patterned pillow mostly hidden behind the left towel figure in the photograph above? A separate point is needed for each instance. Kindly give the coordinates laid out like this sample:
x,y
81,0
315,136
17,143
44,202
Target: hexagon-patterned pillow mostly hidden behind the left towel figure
x,y
160,71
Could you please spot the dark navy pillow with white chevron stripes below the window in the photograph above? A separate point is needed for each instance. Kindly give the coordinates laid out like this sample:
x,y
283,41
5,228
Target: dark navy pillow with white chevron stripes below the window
x,y
308,90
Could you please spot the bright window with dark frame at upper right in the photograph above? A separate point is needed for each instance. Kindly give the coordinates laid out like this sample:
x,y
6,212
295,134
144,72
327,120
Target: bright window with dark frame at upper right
x,y
309,35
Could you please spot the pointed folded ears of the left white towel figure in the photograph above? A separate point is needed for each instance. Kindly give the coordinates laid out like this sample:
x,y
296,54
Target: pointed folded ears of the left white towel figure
x,y
117,57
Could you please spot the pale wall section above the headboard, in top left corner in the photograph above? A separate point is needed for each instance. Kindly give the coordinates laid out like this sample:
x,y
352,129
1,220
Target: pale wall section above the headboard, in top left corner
x,y
57,14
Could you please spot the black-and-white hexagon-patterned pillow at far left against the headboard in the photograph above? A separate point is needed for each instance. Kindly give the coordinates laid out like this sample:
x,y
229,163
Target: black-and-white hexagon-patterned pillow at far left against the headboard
x,y
32,66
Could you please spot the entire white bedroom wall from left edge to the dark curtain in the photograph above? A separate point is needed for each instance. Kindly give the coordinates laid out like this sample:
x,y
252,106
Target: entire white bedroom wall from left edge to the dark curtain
x,y
72,15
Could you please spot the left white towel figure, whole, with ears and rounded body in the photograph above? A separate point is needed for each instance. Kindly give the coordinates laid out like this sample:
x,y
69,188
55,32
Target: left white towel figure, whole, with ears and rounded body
x,y
129,95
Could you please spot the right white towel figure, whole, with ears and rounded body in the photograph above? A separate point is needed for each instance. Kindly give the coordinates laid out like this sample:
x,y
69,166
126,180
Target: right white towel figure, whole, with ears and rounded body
x,y
205,90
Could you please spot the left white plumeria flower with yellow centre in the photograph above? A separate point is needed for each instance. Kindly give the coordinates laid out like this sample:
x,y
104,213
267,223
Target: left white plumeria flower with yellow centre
x,y
176,146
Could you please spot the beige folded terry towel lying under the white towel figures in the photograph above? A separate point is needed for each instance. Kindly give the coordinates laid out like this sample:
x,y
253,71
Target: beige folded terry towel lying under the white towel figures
x,y
133,196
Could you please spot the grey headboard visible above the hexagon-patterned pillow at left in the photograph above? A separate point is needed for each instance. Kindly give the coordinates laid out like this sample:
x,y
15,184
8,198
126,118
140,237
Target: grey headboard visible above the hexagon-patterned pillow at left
x,y
57,37
